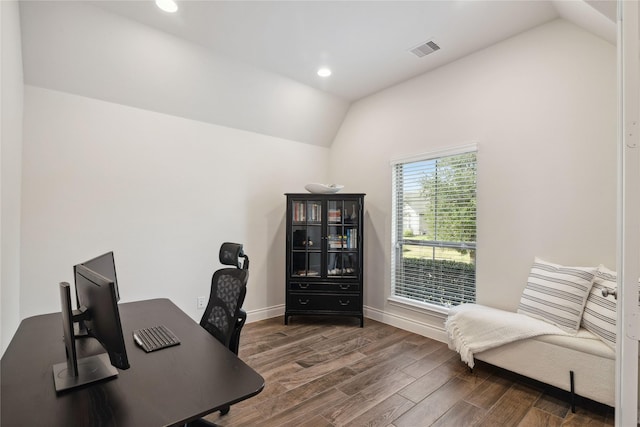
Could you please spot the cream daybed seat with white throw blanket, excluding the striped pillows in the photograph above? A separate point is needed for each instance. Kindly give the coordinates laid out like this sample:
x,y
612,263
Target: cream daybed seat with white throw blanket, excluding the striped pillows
x,y
580,362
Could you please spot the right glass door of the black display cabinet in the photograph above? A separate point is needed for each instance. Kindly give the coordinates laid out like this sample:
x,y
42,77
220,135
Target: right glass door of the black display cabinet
x,y
342,238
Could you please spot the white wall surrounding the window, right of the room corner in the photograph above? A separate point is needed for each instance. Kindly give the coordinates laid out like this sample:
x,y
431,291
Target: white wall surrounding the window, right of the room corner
x,y
542,107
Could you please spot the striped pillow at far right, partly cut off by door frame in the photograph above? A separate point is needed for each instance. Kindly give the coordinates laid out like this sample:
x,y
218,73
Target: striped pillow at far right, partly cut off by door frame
x,y
600,313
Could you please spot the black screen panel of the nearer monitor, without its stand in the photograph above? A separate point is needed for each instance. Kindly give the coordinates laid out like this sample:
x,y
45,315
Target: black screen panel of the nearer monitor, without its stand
x,y
96,294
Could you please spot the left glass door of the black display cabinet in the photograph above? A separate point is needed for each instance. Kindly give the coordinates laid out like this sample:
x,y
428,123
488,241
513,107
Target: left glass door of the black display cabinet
x,y
306,242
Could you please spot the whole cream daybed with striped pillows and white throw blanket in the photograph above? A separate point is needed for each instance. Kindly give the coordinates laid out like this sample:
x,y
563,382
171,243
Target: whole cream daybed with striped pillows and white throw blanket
x,y
579,358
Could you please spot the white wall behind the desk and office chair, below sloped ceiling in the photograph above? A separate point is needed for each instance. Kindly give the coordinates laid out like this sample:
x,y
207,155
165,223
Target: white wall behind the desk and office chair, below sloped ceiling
x,y
161,191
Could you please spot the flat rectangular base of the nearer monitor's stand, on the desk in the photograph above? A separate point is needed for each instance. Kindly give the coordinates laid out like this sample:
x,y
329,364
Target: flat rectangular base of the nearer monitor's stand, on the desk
x,y
90,369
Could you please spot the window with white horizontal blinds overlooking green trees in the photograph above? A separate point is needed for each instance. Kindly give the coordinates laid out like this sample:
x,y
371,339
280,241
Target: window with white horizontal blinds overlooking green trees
x,y
434,228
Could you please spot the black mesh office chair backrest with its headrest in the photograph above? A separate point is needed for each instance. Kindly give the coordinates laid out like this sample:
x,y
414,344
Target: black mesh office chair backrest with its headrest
x,y
228,290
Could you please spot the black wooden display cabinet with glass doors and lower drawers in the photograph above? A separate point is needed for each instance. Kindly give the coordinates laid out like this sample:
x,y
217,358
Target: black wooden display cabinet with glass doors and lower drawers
x,y
324,255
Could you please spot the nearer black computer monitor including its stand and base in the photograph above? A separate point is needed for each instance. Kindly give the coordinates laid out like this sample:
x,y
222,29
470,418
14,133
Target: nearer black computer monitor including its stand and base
x,y
98,309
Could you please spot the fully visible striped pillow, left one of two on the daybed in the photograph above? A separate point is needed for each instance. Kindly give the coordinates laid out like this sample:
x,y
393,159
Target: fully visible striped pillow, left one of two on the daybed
x,y
557,294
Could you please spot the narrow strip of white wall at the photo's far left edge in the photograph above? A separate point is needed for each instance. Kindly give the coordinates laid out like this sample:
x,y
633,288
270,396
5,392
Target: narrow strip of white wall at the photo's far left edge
x,y
11,164
